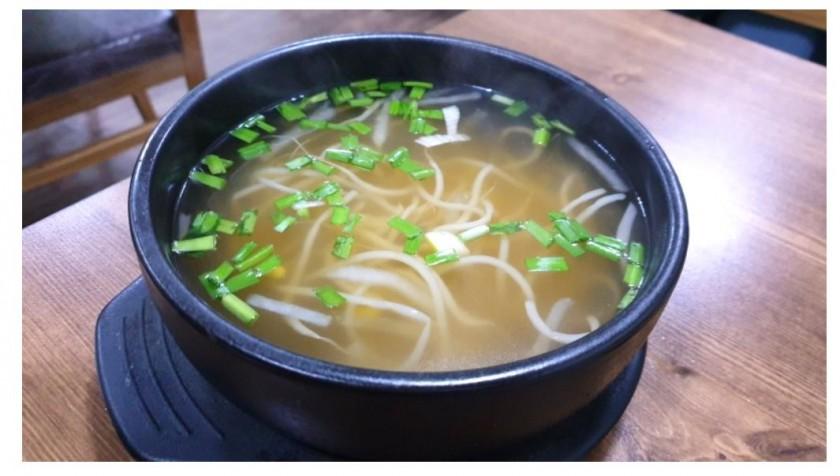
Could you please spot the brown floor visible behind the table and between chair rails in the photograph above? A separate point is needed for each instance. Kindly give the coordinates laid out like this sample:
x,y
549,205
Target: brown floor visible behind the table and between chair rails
x,y
227,37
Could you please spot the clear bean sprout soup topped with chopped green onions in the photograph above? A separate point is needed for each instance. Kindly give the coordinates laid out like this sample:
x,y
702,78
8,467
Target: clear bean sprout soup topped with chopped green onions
x,y
396,226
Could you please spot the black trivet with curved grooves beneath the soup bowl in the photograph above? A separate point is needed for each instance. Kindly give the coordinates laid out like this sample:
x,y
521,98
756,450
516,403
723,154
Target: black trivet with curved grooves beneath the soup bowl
x,y
163,409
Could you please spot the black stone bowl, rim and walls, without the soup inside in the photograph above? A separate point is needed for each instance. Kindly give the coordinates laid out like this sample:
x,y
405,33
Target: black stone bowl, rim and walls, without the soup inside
x,y
377,414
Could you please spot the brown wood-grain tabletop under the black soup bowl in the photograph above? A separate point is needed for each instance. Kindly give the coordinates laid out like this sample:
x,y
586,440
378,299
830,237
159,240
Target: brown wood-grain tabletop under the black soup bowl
x,y
736,366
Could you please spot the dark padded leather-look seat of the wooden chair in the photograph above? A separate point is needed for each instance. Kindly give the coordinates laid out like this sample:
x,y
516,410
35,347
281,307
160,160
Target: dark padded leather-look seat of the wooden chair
x,y
65,49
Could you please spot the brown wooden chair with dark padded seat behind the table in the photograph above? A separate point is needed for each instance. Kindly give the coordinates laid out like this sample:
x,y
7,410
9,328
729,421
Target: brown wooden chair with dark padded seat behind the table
x,y
130,69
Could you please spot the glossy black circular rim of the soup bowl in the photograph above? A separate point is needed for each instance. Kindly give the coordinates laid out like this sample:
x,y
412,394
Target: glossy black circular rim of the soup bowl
x,y
619,329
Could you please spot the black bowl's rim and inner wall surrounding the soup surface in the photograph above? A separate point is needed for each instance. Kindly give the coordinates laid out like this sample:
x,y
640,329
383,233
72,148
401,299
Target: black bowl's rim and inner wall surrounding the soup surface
x,y
222,101
